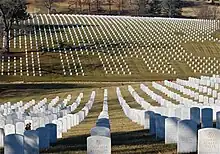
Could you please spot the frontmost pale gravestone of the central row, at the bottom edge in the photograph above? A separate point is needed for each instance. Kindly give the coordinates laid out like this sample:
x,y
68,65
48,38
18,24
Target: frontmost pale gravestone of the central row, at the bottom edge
x,y
98,145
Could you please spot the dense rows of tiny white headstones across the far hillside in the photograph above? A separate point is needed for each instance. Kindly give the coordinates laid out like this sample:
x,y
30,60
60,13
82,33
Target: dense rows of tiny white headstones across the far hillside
x,y
153,39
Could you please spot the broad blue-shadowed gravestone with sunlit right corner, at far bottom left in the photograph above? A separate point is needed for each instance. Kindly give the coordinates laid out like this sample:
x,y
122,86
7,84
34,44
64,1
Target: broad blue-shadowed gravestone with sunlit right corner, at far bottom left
x,y
14,144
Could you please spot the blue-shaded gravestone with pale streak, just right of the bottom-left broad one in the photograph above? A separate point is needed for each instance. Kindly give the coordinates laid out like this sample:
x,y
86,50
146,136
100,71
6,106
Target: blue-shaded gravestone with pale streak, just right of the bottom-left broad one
x,y
31,142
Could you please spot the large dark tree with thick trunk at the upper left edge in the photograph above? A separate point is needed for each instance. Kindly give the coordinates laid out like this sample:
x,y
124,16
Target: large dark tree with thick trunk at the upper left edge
x,y
11,12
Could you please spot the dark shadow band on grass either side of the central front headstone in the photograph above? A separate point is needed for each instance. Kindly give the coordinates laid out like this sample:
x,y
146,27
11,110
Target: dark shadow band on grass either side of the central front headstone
x,y
78,143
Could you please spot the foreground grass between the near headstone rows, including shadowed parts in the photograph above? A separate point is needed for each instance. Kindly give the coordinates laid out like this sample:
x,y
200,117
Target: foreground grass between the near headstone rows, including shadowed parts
x,y
126,136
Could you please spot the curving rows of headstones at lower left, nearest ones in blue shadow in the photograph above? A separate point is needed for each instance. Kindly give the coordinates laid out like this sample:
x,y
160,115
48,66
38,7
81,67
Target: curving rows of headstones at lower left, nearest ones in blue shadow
x,y
46,125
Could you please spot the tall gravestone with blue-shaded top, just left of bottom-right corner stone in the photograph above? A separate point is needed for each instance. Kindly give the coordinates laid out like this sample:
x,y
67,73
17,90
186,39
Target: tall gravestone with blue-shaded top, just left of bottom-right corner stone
x,y
187,136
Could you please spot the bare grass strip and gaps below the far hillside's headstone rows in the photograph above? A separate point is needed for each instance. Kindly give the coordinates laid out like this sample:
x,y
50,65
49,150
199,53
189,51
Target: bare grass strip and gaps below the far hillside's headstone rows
x,y
94,72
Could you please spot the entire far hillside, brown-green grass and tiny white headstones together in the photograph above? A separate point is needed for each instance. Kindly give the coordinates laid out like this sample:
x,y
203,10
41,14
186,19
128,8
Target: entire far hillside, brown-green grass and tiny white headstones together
x,y
108,48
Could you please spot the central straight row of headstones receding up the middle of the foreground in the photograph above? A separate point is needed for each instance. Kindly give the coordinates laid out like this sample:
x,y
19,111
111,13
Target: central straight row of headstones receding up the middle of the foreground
x,y
100,139
